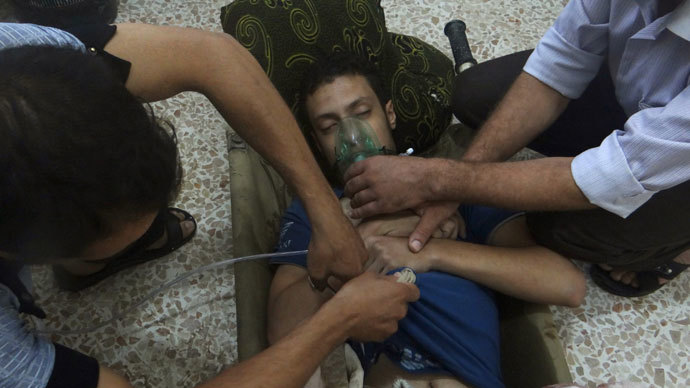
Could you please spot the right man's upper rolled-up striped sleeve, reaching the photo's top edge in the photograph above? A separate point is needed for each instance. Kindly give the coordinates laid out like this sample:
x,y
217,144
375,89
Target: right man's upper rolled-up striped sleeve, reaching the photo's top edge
x,y
571,52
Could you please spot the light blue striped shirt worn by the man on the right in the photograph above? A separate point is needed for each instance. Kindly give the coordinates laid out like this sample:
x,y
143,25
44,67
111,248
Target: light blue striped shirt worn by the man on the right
x,y
649,60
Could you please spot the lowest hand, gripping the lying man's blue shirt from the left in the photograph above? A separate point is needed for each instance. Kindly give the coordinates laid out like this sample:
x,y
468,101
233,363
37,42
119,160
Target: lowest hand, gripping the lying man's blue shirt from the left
x,y
371,305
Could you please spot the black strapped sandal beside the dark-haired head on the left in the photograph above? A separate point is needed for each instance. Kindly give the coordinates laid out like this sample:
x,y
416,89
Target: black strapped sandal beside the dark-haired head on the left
x,y
135,254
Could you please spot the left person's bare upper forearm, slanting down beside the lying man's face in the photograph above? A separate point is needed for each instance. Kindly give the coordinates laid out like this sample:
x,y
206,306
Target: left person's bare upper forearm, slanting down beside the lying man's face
x,y
242,93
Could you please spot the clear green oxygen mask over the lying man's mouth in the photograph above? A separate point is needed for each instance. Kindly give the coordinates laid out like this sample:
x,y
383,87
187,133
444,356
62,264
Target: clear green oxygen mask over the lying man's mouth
x,y
355,140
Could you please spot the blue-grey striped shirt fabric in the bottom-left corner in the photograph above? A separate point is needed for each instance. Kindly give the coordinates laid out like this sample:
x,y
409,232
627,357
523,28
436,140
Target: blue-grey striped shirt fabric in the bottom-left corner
x,y
26,361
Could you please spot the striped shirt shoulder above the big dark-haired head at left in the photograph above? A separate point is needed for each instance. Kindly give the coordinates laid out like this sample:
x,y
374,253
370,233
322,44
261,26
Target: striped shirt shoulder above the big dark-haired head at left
x,y
18,34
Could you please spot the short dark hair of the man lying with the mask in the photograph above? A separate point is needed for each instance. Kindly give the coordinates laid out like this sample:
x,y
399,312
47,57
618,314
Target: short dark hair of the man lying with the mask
x,y
325,70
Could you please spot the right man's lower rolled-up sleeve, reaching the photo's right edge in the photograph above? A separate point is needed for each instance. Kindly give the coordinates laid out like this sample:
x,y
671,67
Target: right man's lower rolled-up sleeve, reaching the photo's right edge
x,y
651,154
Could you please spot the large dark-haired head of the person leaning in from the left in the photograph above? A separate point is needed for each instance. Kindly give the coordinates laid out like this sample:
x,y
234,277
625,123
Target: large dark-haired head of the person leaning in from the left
x,y
79,154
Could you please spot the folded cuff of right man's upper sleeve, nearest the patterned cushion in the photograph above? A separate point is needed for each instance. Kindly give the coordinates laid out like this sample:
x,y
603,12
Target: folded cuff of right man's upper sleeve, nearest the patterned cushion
x,y
564,67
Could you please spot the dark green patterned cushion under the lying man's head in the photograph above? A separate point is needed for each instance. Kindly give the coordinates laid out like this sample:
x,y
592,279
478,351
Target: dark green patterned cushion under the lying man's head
x,y
285,36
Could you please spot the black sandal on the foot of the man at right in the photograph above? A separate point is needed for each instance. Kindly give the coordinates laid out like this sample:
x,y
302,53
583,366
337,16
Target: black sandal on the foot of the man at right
x,y
648,281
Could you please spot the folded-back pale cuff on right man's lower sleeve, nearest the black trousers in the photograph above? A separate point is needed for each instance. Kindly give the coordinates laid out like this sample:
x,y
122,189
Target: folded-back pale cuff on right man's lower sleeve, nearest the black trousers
x,y
605,178
